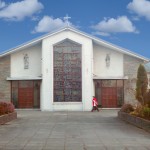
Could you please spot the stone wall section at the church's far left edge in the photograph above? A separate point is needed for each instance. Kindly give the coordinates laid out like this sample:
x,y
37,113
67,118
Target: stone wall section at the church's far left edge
x,y
4,84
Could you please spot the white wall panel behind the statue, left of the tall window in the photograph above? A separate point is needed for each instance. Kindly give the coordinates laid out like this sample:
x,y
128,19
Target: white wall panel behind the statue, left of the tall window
x,y
17,62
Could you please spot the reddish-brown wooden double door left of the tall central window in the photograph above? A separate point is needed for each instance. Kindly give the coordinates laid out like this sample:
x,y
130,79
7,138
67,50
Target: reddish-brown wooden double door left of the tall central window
x,y
25,97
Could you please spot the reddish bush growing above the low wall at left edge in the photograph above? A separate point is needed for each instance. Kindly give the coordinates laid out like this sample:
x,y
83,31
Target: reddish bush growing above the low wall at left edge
x,y
6,107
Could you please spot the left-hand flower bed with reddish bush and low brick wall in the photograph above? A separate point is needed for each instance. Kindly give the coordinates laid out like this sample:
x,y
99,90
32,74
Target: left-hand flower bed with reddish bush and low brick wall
x,y
7,112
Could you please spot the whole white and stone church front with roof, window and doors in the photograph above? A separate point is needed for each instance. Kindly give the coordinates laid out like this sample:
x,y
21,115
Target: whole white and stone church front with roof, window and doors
x,y
61,71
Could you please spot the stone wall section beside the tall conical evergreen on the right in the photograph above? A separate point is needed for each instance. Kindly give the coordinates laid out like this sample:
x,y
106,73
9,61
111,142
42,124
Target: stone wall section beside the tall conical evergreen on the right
x,y
131,65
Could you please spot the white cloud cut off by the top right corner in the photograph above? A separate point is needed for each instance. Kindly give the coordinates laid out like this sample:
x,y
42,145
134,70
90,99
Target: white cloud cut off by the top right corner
x,y
140,7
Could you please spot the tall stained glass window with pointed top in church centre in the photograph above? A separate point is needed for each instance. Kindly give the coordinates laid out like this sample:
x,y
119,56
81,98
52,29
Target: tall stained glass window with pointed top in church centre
x,y
67,72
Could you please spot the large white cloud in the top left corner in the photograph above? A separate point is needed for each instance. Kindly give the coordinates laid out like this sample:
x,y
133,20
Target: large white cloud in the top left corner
x,y
19,10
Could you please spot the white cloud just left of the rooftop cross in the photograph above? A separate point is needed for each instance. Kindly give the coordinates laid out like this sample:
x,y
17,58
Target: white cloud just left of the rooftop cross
x,y
47,24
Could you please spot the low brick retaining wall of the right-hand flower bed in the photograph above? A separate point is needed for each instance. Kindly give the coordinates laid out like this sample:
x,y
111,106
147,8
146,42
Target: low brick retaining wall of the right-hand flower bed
x,y
137,121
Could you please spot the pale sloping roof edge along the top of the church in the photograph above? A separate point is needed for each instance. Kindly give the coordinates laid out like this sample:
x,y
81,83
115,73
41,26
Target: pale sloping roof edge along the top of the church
x,y
69,28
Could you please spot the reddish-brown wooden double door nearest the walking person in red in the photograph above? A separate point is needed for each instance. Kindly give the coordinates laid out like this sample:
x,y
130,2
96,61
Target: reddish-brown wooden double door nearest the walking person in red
x,y
109,97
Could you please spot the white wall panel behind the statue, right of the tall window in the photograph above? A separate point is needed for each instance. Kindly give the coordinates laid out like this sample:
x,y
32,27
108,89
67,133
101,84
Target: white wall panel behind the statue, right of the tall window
x,y
116,62
